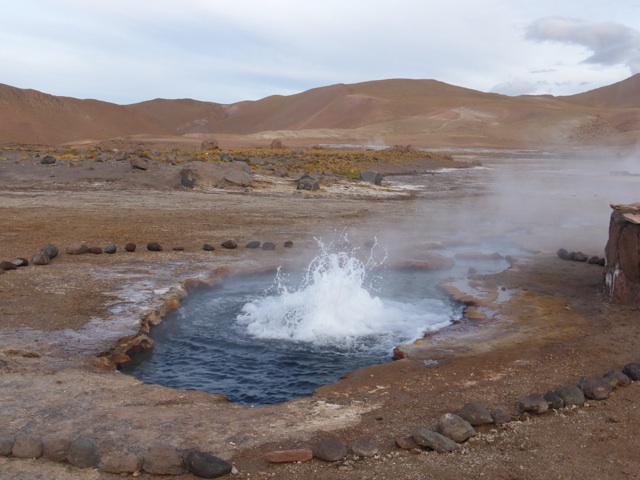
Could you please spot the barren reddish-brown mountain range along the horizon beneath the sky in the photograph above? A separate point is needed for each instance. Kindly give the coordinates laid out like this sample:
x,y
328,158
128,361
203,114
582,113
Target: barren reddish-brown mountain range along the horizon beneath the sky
x,y
420,112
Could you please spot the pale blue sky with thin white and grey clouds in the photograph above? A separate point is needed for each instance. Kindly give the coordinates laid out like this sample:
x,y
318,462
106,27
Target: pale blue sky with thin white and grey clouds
x,y
231,50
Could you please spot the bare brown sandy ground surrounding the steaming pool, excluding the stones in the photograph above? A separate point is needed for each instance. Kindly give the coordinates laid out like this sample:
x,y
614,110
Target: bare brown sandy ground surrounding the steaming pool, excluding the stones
x,y
553,327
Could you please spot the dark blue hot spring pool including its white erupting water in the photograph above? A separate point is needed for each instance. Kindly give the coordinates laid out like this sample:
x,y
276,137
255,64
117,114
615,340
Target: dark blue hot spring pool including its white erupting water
x,y
268,338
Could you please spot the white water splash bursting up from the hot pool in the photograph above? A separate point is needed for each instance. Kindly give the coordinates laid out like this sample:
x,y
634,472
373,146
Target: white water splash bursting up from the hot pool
x,y
336,304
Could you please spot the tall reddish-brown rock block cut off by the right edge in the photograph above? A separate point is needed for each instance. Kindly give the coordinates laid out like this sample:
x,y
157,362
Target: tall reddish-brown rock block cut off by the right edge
x,y
622,272
